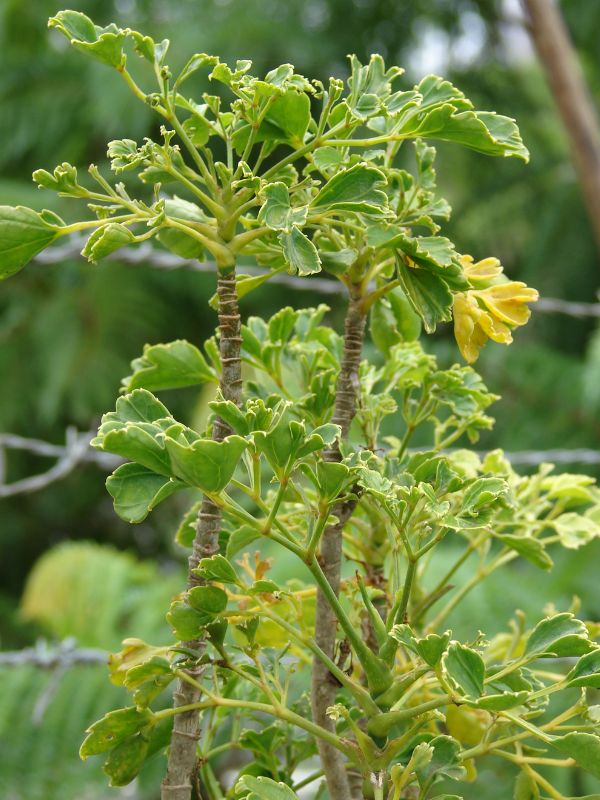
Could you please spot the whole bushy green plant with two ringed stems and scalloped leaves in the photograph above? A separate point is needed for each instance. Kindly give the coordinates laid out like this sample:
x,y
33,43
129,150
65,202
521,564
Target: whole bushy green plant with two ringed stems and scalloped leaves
x,y
293,455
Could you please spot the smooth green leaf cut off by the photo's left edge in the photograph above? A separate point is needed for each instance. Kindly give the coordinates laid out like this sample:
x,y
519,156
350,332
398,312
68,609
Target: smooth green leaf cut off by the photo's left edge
x,y
23,234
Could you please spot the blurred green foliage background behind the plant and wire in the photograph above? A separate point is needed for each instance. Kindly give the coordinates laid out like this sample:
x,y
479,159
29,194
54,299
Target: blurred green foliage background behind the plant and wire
x,y
69,330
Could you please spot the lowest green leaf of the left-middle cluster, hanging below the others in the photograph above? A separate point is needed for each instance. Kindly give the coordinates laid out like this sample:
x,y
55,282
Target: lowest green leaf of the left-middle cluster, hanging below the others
x,y
136,490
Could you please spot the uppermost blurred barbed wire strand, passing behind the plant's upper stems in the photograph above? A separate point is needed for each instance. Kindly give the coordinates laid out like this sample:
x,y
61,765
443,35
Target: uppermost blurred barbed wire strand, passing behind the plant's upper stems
x,y
146,255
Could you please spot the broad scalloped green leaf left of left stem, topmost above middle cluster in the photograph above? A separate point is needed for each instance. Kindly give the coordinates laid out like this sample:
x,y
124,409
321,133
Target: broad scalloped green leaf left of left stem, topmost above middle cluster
x,y
169,366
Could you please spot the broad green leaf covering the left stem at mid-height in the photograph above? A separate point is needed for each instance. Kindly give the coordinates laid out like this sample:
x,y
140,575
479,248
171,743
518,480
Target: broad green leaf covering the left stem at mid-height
x,y
206,464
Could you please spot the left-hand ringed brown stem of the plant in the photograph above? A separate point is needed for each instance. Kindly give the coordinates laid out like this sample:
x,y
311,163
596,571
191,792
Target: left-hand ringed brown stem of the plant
x,y
177,784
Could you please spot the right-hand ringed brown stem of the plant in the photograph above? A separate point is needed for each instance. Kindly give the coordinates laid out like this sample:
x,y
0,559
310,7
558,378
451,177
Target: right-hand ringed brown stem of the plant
x,y
324,685
